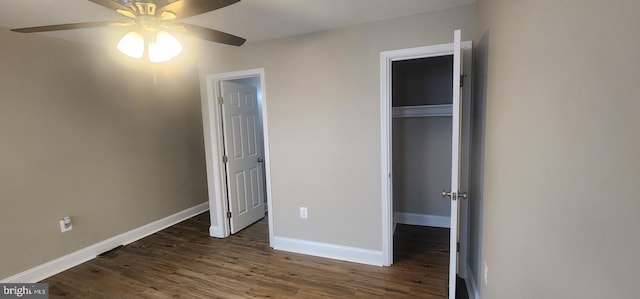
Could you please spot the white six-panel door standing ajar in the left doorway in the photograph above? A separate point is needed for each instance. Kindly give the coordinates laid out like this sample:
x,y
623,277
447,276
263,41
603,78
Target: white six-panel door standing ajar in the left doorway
x,y
243,148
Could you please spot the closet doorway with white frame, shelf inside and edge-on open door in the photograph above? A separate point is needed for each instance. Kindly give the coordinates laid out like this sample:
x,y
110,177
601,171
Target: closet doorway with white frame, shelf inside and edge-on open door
x,y
425,117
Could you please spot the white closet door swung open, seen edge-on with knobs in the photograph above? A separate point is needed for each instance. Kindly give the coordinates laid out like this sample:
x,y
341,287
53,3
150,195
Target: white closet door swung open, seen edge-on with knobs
x,y
455,195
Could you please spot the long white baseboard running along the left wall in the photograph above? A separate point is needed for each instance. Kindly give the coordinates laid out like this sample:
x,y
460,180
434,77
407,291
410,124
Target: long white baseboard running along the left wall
x,y
58,265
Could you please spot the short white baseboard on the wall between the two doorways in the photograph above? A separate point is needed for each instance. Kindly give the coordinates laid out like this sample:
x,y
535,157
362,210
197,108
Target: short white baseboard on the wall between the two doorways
x,y
338,252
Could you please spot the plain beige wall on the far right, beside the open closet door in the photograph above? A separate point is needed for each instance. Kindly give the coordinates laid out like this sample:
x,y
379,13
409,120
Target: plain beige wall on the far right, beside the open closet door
x,y
560,202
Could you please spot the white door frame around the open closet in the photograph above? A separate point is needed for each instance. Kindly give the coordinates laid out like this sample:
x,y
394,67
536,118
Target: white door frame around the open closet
x,y
386,58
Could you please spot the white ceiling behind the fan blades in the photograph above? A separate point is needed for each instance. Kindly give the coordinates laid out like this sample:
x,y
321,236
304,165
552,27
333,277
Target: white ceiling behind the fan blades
x,y
255,20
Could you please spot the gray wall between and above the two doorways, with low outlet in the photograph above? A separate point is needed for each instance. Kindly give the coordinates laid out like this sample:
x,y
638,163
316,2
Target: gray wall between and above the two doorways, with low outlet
x,y
323,104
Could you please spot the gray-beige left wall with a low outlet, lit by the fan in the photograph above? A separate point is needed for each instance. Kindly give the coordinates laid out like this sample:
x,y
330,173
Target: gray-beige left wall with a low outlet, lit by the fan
x,y
83,136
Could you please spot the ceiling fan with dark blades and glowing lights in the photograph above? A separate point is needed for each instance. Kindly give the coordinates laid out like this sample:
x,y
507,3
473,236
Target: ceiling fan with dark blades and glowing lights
x,y
152,23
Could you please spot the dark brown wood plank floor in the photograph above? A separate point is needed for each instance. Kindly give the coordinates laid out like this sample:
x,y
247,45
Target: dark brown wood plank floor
x,y
183,261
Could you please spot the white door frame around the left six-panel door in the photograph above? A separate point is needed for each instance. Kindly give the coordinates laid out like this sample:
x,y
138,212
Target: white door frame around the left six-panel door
x,y
214,148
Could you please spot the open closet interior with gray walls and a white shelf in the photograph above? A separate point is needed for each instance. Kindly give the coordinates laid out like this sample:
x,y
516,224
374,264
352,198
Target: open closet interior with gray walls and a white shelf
x,y
421,145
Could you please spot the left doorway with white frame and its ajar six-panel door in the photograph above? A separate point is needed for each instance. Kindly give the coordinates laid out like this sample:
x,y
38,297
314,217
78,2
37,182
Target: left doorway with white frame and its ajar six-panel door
x,y
237,151
